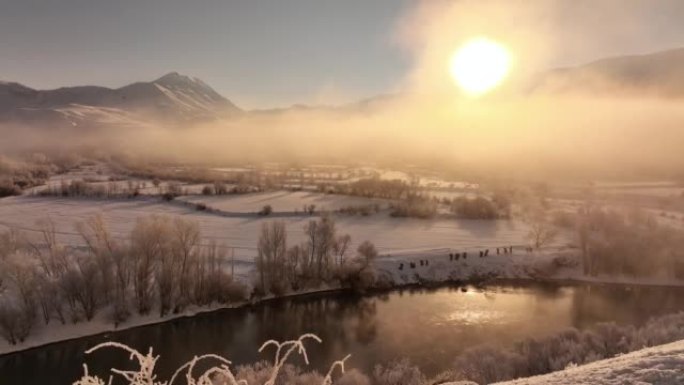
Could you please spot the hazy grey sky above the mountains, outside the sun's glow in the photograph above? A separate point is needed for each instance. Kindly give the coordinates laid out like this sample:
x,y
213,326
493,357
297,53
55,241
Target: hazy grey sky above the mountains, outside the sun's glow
x,y
262,53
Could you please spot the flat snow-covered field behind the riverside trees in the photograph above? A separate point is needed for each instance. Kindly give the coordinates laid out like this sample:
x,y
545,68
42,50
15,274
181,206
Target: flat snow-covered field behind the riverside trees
x,y
390,235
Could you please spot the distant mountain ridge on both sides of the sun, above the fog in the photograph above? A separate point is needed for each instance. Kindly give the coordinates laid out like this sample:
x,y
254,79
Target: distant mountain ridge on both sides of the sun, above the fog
x,y
177,99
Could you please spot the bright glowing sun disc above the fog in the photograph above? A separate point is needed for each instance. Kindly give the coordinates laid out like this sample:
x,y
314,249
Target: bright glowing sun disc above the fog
x,y
480,65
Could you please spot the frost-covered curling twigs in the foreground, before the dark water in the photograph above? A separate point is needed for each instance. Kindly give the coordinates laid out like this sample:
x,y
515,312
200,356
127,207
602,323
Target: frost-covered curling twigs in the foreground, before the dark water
x,y
276,373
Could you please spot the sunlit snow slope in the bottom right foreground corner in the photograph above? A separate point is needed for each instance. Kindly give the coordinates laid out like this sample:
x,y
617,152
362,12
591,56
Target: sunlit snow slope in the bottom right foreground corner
x,y
660,365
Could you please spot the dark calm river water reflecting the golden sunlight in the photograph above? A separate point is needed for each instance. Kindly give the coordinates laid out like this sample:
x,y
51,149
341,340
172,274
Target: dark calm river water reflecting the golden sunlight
x,y
430,327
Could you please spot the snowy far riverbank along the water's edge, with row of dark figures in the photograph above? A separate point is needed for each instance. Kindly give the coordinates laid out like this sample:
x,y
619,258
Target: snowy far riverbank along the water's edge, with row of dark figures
x,y
394,271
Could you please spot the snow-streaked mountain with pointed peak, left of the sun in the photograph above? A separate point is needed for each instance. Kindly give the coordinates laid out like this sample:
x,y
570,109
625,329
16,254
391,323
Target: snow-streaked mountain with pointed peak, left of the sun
x,y
173,98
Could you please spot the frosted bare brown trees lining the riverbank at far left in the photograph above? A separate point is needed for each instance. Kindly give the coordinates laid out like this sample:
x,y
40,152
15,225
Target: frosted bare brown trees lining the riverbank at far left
x,y
161,266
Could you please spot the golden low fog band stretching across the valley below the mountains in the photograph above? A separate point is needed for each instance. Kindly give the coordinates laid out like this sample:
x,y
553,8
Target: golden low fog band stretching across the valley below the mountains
x,y
518,136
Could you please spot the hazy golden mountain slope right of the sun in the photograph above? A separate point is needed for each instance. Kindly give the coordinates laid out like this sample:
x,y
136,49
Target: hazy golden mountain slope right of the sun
x,y
658,74
